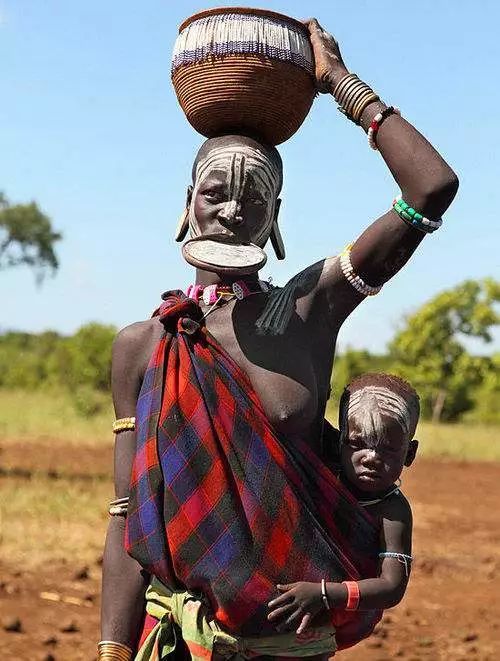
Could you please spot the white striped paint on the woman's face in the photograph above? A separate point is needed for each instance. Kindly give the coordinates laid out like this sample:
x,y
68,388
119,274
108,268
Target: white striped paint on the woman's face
x,y
243,164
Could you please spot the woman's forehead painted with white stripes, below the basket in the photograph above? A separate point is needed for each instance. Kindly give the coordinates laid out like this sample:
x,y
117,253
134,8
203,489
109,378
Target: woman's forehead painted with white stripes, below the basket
x,y
241,161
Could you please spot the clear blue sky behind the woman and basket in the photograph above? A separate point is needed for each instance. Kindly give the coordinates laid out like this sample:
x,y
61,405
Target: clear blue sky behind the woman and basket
x,y
90,128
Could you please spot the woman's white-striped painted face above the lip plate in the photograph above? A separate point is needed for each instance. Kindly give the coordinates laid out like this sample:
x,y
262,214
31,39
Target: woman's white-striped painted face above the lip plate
x,y
235,192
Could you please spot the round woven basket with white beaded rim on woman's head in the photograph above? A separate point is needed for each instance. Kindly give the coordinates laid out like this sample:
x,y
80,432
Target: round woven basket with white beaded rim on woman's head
x,y
240,70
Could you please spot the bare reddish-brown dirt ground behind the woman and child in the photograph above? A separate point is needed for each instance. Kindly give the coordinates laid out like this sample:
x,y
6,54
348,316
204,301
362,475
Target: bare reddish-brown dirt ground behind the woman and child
x,y
451,610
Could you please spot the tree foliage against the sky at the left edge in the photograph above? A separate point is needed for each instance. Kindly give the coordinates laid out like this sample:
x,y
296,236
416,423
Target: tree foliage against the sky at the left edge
x,y
27,237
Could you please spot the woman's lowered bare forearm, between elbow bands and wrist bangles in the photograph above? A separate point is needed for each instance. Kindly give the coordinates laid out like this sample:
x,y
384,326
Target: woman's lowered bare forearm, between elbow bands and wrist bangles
x,y
123,586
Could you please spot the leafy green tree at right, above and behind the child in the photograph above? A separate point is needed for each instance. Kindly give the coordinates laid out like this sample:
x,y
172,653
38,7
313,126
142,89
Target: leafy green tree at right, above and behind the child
x,y
429,350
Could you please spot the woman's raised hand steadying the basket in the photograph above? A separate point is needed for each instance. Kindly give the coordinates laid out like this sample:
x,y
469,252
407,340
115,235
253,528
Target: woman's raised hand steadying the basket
x,y
330,66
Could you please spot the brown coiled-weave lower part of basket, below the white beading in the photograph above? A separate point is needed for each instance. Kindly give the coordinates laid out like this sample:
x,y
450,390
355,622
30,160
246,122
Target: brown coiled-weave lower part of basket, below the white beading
x,y
245,93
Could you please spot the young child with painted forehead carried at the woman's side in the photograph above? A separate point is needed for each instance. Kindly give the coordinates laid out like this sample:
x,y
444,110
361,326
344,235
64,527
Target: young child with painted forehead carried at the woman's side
x,y
378,416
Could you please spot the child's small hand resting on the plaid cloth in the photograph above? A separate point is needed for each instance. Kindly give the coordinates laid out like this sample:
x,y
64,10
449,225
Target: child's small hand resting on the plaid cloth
x,y
298,604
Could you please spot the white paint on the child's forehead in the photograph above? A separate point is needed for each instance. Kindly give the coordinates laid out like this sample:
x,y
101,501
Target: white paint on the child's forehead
x,y
366,407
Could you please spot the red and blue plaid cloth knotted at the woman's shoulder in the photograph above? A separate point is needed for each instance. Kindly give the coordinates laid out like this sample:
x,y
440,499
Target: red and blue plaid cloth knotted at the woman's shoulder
x,y
219,503
